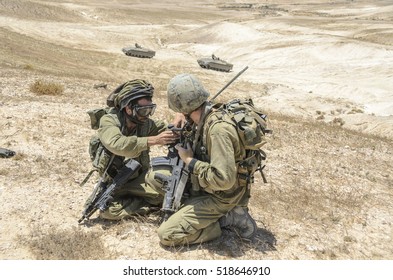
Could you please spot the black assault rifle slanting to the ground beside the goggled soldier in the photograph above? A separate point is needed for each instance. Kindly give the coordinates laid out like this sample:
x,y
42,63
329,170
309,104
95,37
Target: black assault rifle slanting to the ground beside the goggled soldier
x,y
102,194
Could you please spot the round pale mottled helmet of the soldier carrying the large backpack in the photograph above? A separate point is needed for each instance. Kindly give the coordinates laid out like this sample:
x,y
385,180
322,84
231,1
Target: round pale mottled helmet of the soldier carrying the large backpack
x,y
186,93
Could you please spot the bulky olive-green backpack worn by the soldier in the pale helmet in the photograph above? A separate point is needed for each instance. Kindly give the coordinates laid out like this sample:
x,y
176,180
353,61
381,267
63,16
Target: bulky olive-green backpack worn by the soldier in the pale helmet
x,y
251,126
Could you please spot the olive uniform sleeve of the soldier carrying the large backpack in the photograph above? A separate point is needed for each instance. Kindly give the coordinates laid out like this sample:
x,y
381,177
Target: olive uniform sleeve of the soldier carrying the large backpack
x,y
220,174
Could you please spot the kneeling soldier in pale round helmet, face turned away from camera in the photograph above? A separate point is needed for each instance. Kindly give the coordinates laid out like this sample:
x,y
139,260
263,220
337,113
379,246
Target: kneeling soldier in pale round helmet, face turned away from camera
x,y
217,199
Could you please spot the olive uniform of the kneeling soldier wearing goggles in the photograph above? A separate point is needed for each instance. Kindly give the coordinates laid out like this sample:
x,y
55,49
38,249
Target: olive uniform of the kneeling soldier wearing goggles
x,y
135,197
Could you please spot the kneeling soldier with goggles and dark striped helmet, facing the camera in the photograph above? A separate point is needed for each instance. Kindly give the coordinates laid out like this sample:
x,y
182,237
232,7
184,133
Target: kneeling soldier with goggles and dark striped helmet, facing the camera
x,y
128,132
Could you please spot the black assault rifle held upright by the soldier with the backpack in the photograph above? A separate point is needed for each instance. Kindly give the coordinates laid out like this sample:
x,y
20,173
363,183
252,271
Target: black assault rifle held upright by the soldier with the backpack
x,y
174,184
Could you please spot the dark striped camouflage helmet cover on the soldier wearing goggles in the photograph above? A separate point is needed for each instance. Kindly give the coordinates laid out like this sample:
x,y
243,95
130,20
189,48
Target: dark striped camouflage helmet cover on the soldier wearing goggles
x,y
132,90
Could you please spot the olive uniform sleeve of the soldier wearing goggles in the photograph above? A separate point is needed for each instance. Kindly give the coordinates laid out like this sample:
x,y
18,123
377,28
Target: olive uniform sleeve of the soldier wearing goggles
x,y
117,143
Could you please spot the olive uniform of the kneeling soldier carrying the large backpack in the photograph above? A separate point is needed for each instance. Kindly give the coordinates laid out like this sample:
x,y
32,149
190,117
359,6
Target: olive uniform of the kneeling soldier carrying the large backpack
x,y
214,174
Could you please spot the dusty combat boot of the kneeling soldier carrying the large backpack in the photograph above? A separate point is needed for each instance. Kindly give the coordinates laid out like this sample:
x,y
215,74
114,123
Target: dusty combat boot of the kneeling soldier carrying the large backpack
x,y
240,219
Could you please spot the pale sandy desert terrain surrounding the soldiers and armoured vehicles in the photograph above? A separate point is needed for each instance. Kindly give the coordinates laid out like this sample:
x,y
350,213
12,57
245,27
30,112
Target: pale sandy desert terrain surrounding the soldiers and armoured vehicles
x,y
321,70
